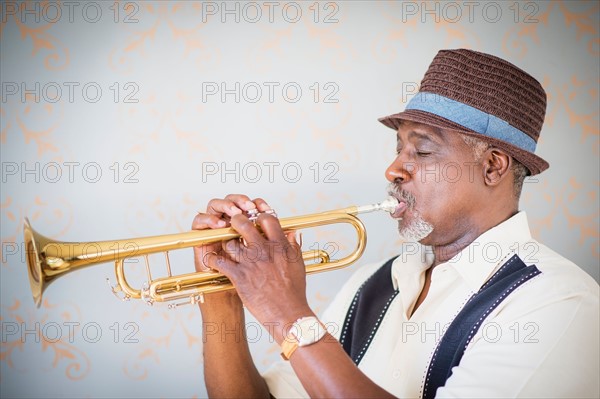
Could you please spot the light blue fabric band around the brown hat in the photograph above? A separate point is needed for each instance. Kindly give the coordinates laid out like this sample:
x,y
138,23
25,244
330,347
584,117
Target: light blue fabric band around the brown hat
x,y
471,118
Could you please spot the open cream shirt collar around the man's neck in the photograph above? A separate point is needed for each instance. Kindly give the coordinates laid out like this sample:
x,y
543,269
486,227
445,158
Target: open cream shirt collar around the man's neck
x,y
475,264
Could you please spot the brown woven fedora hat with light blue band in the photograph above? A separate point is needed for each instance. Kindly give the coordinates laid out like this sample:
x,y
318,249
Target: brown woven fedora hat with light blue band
x,y
483,96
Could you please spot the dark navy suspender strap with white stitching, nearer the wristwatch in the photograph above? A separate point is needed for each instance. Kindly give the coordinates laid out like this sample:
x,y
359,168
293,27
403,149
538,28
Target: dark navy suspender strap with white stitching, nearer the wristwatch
x,y
367,310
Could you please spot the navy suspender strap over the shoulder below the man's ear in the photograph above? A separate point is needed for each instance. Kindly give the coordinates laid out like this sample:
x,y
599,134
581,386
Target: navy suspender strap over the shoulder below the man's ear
x,y
452,346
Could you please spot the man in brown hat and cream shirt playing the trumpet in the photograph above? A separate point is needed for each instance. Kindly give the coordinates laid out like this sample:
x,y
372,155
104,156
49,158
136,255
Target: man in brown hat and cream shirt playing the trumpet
x,y
477,308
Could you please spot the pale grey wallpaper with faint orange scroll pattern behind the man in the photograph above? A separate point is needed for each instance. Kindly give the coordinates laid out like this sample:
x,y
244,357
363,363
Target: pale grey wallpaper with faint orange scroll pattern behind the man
x,y
123,118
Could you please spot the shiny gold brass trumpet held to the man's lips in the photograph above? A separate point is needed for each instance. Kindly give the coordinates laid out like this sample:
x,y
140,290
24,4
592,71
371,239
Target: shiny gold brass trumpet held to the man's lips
x,y
48,259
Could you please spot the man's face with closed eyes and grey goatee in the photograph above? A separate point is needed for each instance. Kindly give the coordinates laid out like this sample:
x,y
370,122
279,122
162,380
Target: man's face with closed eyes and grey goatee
x,y
437,179
